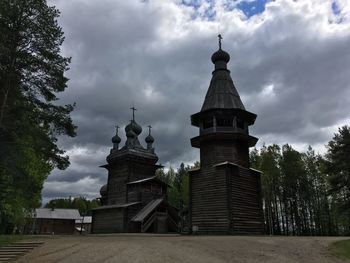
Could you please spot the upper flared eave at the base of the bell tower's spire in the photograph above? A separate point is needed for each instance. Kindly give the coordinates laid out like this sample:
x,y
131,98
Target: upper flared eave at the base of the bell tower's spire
x,y
247,116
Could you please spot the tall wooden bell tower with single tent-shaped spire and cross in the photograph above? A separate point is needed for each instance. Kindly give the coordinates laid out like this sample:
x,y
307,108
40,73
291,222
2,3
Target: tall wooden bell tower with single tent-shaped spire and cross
x,y
225,193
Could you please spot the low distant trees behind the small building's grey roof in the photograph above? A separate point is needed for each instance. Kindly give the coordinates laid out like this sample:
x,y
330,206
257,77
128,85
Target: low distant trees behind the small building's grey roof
x,y
81,203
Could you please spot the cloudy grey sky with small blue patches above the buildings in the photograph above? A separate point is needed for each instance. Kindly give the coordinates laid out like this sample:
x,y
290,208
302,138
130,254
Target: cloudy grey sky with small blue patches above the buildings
x,y
290,61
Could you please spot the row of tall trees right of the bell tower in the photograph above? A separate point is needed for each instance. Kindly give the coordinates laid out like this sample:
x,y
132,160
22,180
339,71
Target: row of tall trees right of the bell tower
x,y
305,193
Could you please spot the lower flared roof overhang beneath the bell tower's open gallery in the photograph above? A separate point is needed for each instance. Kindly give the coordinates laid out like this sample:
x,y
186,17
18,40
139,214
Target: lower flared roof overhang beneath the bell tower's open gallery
x,y
196,141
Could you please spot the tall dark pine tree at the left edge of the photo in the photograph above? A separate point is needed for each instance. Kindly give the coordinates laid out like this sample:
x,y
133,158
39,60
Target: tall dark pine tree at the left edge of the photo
x,y
31,74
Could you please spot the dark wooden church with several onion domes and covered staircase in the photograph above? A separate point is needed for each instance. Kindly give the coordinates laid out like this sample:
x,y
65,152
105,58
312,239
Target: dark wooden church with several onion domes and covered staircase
x,y
134,199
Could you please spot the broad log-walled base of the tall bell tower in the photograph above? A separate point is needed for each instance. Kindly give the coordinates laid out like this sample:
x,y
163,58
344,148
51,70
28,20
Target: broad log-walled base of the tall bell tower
x,y
225,199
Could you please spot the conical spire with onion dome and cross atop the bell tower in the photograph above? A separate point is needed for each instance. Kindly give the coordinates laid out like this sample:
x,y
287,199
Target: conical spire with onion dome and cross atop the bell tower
x,y
222,93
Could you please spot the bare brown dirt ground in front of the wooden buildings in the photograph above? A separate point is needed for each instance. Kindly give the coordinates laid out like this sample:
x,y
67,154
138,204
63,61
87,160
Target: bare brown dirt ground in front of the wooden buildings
x,y
175,248
